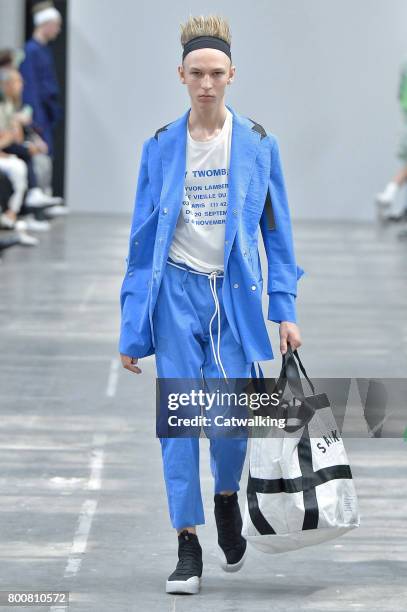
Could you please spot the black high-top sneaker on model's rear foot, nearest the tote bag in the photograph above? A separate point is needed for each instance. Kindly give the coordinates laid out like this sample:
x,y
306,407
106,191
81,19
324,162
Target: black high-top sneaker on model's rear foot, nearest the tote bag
x,y
232,545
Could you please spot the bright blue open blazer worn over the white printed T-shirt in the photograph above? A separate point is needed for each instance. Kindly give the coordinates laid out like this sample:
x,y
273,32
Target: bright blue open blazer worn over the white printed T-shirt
x,y
257,198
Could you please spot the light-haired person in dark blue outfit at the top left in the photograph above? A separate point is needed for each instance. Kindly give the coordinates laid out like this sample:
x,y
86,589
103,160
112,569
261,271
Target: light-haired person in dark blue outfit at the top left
x,y
41,89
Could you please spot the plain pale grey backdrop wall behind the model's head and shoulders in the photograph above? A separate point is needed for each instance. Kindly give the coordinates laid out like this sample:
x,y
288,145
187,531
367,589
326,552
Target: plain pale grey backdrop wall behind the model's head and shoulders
x,y
322,75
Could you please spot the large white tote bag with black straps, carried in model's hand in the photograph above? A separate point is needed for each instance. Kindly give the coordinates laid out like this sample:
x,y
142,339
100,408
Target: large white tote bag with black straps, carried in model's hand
x,y
300,489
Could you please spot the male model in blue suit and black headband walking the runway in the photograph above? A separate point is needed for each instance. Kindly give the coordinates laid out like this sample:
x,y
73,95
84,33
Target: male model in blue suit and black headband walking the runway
x,y
192,290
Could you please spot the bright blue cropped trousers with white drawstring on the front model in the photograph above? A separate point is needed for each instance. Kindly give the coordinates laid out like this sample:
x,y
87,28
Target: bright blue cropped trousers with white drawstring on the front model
x,y
186,343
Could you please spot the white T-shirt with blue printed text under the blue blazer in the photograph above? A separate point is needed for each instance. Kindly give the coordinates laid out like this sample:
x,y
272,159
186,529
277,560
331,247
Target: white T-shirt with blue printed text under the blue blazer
x,y
199,237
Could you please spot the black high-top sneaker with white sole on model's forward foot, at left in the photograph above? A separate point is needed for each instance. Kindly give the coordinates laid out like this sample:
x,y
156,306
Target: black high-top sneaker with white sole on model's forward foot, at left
x,y
186,578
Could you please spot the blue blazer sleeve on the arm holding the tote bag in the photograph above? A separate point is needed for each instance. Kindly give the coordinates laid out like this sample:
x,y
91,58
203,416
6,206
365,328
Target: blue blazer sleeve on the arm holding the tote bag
x,y
283,272
